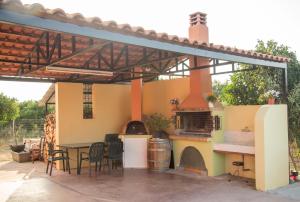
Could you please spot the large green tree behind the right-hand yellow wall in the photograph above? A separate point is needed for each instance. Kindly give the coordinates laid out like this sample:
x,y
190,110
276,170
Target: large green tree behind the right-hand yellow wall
x,y
250,87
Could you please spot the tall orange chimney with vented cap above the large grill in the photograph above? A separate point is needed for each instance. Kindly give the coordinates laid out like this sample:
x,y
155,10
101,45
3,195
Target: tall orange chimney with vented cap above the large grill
x,y
200,80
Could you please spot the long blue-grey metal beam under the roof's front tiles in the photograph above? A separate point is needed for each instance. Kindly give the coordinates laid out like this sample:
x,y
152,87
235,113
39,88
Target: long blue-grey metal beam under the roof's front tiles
x,y
49,24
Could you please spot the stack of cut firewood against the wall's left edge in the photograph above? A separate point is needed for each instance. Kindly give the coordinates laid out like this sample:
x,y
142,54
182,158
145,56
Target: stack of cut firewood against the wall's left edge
x,y
49,131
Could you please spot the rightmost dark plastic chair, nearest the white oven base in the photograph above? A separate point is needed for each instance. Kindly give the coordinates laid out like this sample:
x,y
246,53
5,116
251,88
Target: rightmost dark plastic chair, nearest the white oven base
x,y
114,155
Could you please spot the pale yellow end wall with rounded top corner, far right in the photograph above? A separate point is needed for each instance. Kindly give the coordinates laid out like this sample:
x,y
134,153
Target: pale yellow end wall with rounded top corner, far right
x,y
271,147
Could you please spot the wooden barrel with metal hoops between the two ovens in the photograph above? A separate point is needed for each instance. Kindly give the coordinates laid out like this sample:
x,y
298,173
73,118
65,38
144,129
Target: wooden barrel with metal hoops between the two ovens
x,y
159,154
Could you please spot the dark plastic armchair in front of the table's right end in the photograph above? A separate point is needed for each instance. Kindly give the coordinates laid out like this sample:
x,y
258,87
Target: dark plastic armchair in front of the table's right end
x,y
94,155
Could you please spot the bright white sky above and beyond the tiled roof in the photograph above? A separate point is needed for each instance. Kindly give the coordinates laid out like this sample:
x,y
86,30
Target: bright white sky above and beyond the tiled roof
x,y
232,23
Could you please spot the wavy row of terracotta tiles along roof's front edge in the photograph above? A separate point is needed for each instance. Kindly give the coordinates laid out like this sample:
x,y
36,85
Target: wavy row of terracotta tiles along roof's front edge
x,y
95,22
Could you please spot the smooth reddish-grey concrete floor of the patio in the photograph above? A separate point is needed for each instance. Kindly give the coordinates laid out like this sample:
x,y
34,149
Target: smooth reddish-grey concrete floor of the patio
x,y
28,182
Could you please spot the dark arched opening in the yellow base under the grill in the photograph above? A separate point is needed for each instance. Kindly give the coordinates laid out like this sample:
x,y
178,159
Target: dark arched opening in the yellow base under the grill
x,y
192,160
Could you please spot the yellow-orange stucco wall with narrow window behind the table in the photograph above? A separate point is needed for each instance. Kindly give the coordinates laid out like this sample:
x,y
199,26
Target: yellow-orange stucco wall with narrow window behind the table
x,y
111,110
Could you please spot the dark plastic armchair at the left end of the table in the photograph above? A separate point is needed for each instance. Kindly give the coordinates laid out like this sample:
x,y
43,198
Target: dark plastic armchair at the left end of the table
x,y
57,155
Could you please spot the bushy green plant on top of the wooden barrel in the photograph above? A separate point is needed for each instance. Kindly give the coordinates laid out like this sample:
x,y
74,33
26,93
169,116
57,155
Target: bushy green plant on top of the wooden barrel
x,y
157,122
